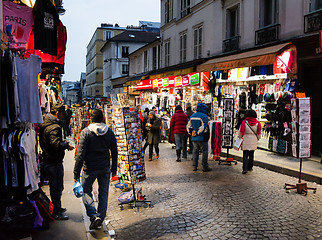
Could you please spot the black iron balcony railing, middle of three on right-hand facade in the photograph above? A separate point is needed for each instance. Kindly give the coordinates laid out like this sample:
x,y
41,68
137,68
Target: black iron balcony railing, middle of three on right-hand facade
x,y
267,34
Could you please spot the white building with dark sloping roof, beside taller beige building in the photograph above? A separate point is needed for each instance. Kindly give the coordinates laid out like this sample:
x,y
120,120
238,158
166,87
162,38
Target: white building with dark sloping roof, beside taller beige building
x,y
115,57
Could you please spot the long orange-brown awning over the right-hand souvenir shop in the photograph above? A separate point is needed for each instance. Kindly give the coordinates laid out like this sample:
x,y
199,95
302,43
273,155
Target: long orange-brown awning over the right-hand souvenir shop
x,y
259,57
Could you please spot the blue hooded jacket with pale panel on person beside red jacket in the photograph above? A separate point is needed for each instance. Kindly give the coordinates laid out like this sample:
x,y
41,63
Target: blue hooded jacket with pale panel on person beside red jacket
x,y
199,122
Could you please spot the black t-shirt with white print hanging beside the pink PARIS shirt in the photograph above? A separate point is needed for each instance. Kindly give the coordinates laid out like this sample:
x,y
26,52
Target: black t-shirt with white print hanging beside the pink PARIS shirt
x,y
45,28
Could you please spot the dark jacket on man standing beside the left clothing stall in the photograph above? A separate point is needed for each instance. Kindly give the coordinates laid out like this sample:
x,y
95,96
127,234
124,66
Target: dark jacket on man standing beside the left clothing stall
x,y
51,141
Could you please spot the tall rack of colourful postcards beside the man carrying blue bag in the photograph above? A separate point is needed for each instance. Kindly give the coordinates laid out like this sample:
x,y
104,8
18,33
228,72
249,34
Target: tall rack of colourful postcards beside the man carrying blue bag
x,y
131,157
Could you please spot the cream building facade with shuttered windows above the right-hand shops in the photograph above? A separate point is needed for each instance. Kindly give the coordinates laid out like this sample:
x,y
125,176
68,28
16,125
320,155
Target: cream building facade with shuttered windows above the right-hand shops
x,y
222,30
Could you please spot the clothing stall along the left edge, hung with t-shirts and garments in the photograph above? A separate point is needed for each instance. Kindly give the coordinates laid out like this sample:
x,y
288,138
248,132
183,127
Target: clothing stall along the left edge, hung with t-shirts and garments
x,y
33,44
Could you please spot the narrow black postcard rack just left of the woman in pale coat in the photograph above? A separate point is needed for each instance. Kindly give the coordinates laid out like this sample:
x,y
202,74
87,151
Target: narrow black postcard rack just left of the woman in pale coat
x,y
227,130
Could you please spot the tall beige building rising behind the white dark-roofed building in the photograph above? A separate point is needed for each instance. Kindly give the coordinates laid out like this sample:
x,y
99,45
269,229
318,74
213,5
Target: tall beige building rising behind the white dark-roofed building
x,y
94,58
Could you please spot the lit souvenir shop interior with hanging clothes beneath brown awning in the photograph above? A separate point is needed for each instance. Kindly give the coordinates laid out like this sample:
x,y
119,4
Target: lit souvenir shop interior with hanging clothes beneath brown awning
x,y
266,88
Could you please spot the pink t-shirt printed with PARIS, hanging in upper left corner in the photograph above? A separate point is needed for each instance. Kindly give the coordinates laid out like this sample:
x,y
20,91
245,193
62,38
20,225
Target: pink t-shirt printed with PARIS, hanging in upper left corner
x,y
17,23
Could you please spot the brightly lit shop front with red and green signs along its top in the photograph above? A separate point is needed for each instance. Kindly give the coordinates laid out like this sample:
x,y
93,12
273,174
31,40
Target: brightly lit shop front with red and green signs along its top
x,y
165,93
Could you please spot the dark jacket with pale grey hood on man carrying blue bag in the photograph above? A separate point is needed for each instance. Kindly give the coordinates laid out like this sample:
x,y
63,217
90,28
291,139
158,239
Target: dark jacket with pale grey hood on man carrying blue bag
x,y
96,145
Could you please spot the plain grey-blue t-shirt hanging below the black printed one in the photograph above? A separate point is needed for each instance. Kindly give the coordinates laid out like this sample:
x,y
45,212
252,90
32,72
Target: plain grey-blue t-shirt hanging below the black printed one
x,y
27,80
